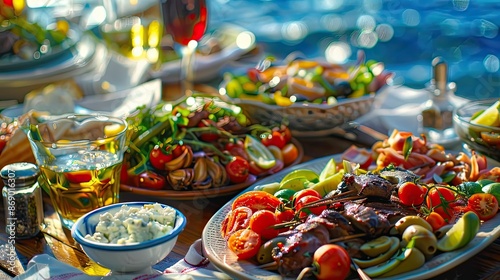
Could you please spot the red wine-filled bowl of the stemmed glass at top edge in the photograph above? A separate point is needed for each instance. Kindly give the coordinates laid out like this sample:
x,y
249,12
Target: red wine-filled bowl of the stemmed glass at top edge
x,y
185,20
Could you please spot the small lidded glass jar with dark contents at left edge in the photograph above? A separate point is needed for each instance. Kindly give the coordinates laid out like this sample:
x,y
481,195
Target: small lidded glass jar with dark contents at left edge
x,y
22,199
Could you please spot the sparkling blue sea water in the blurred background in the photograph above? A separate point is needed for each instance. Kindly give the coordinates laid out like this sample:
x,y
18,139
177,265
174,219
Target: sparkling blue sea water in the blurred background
x,y
405,35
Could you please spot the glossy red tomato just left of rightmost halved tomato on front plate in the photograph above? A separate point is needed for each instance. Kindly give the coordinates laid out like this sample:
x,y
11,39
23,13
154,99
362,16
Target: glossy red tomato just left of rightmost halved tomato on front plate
x,y
438,199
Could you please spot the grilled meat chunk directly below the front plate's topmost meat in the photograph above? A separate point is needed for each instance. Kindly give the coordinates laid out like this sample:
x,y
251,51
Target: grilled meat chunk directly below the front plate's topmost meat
x,y
366,219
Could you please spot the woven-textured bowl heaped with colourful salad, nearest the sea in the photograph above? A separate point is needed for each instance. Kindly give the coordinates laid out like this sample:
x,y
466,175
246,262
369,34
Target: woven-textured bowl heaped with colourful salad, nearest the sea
x,y
310,95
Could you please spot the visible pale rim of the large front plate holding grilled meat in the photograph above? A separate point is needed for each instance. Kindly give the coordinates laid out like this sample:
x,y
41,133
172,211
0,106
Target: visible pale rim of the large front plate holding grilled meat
x,y
225,260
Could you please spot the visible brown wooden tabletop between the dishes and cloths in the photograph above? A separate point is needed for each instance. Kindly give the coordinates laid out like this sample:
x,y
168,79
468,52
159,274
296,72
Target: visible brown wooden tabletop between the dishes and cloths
x,y
56,241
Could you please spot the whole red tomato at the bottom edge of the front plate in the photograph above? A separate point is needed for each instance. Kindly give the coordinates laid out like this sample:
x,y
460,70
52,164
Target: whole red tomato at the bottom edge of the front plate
x,y
332,262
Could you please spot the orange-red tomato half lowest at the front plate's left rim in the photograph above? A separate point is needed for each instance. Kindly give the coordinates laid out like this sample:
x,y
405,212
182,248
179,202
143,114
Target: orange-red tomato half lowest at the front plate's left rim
x,y
245,243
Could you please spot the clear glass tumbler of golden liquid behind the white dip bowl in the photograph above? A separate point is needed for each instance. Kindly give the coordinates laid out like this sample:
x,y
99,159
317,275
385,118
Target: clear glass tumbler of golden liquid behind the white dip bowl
x,y
80,159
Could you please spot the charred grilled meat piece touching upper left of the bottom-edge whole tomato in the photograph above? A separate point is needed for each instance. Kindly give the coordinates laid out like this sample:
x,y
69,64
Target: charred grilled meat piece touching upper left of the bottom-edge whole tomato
x,y
299,248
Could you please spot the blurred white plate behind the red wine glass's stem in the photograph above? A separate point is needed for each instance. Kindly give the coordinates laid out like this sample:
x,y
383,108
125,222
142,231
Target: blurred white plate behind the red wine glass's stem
x,y
234,42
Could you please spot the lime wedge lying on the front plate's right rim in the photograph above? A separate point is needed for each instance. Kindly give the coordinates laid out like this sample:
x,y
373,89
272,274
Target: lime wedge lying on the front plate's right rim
x,y
460,233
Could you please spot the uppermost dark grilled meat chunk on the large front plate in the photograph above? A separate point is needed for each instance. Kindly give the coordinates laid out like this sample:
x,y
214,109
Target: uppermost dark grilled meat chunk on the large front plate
x,y
366,185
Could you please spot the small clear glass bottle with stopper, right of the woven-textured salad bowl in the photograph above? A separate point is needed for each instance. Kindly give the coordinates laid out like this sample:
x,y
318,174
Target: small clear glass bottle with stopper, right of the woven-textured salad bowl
x,y
436,118
